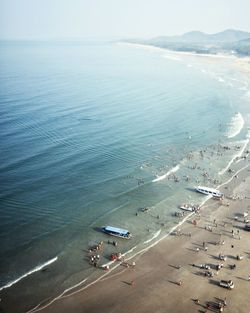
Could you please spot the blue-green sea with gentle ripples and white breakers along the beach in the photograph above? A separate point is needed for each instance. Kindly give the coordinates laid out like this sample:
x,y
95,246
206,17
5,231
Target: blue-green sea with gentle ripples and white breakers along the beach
x,y
92,132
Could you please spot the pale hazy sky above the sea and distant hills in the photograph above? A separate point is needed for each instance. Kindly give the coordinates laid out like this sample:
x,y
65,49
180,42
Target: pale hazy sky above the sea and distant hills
x,y
58,19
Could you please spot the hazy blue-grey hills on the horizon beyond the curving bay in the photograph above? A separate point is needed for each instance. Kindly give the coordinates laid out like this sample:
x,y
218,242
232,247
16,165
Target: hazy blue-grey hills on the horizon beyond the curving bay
x,y
228,41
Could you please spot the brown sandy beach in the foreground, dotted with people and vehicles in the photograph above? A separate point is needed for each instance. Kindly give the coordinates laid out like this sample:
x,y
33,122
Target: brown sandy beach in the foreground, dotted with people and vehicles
x,y
153,284
